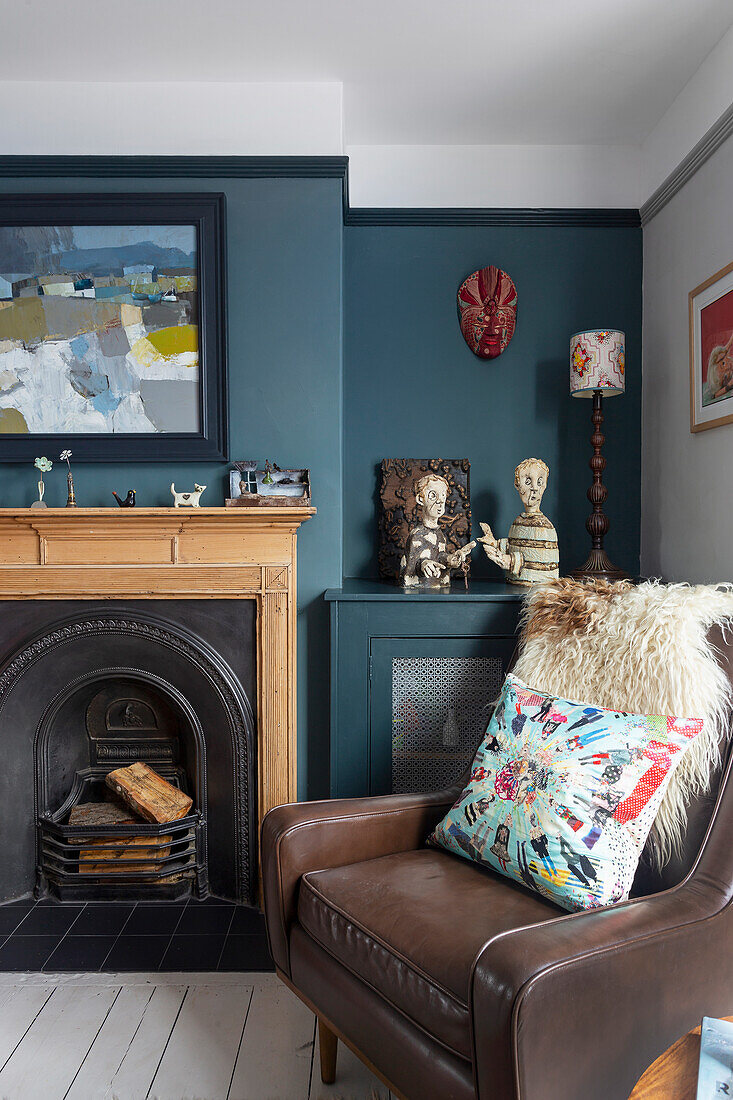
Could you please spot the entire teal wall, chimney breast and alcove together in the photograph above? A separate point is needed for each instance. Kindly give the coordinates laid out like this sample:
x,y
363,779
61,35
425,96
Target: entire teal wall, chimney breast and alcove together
x,y
404,386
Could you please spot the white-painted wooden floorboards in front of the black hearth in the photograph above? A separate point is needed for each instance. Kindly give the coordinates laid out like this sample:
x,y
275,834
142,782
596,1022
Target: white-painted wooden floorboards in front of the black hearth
x,y
166,1037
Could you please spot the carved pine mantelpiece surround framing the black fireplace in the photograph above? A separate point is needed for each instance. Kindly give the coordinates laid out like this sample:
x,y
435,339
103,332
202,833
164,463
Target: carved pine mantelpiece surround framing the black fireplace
x,y
169,554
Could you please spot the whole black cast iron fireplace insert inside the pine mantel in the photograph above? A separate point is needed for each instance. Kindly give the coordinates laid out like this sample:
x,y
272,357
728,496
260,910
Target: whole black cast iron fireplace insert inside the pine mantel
x,y
90,687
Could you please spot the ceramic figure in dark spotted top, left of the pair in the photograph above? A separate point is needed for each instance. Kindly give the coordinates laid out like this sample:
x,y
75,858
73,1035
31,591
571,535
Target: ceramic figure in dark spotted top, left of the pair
x,y
426,563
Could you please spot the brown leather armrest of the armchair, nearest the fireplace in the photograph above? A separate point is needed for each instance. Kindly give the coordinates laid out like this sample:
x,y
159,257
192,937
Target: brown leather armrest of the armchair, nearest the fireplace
x,y
310,837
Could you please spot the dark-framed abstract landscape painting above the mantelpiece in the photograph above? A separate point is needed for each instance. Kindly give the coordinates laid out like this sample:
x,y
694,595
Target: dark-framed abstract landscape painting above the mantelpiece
x,y
113,326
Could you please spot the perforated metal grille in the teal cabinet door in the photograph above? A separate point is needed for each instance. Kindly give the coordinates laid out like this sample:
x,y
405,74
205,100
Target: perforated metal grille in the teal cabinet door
x,y
440,711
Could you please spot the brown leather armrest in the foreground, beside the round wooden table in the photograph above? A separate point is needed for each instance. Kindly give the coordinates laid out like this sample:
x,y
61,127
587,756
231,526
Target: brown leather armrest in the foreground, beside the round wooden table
x,y
570,1007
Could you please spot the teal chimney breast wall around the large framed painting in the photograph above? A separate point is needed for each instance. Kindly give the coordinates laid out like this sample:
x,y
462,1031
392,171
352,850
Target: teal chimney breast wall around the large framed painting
x,y
286,259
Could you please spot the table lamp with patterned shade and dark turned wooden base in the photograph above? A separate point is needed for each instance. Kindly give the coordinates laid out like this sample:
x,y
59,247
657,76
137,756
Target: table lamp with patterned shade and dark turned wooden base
x,y
598,370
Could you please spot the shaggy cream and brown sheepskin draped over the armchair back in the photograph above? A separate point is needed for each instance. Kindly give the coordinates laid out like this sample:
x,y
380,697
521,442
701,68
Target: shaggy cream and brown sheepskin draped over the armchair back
x,y
642,650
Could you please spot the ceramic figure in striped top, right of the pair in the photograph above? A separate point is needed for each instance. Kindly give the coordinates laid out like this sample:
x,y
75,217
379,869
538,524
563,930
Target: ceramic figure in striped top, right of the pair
x,y
530,555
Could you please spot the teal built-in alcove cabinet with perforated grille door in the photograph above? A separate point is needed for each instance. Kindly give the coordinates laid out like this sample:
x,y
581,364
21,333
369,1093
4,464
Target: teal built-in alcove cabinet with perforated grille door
x,y
412,678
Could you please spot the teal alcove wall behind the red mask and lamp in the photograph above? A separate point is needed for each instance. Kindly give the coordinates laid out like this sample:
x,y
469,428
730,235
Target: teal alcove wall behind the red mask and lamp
x,y
412,389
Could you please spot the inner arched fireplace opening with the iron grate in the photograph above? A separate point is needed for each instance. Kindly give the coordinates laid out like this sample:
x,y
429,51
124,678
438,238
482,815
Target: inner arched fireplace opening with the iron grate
x,y
101,722
